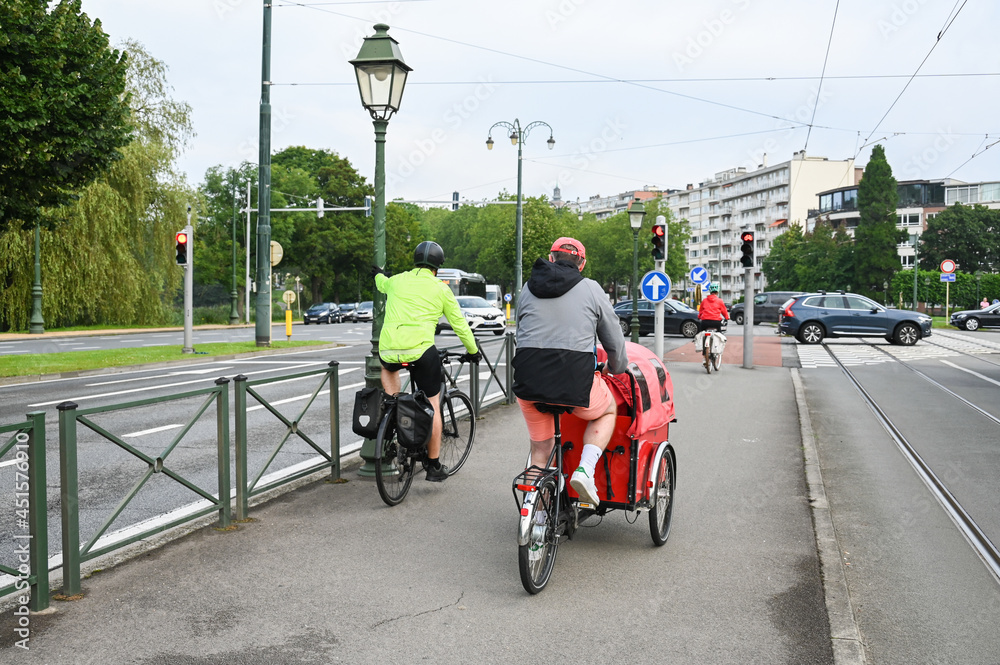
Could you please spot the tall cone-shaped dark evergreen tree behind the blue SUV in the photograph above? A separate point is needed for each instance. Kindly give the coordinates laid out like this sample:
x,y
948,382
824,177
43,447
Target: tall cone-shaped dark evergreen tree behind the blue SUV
x,y
876,236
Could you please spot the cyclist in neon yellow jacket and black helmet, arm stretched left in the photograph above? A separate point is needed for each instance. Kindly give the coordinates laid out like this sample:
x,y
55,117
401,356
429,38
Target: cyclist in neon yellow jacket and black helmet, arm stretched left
x,y
415,300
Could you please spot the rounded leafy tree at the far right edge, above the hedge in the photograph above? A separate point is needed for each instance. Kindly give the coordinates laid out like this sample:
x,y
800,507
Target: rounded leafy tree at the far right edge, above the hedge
x,y
968,235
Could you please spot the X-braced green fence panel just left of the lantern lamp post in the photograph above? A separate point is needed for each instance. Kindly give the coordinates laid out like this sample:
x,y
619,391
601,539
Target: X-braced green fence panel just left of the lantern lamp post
x,y
245,489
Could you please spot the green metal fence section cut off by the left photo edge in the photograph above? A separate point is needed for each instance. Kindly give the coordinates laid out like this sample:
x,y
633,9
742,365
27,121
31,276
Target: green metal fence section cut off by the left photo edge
x,y
31,545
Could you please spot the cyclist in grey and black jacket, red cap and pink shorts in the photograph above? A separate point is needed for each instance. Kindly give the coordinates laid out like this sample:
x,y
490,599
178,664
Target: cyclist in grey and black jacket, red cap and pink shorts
x,y
561,315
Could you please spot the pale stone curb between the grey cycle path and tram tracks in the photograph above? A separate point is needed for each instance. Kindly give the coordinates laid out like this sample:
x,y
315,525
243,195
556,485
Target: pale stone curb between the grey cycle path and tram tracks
x,y
848,647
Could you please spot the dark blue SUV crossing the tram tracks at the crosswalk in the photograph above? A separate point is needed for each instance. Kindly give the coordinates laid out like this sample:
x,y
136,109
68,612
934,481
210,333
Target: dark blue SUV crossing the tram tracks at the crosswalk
x,y
813,316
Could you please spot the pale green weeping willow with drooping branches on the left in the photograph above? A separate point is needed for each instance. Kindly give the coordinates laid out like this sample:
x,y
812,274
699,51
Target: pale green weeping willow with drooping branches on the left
x,y
108,258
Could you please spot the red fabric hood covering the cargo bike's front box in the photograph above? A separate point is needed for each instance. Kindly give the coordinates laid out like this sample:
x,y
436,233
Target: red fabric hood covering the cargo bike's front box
x,y
654,391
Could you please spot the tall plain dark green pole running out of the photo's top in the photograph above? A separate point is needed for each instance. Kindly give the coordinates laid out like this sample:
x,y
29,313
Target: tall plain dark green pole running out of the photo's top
x,y
263,323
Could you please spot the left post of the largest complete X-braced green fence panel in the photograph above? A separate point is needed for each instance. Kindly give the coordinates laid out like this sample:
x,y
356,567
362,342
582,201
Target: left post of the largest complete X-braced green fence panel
x,y
69,495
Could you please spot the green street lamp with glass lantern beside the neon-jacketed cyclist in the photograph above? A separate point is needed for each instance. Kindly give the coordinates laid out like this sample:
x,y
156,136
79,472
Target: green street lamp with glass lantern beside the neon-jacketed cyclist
x,y
381,75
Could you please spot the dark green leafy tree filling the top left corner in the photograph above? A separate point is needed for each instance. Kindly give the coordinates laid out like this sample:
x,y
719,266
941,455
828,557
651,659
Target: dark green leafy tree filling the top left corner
x,y
64,114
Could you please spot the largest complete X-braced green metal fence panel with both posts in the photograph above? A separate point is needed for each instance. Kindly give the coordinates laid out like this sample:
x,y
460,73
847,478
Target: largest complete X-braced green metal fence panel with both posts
x,y
69,417
